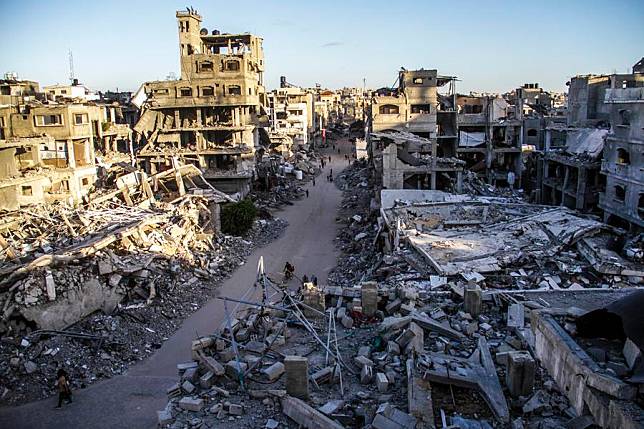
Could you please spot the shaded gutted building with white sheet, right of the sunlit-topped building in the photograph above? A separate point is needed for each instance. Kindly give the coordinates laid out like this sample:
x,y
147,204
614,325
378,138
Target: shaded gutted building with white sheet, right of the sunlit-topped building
x,y
490,138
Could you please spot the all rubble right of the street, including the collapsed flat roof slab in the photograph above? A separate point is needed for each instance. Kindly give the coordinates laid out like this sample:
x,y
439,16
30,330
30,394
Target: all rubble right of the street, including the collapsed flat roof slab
x,y
394,342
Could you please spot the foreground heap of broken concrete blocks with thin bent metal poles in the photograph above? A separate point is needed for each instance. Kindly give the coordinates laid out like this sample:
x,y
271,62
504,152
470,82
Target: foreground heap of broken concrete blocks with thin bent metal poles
x,y
367,355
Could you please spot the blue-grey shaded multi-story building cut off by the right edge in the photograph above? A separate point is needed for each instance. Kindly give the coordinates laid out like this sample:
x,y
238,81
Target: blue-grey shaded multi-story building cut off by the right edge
x,y
623,163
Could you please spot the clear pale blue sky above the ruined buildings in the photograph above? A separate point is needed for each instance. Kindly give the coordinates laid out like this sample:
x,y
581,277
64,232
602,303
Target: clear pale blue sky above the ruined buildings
x,y
490,45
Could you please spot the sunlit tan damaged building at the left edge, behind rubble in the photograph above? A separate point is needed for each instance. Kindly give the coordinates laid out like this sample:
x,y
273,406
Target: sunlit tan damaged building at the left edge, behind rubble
x,y
49,149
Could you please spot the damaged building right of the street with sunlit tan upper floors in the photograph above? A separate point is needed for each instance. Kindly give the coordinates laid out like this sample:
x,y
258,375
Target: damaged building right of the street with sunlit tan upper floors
x,y
415,107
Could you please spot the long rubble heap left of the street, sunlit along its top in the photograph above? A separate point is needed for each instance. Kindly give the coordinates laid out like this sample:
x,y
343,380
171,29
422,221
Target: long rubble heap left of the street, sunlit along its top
x,y
94,289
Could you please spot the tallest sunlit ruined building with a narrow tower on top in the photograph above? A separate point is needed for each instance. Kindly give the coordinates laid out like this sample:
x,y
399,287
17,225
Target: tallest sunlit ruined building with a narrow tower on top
x,y
211,116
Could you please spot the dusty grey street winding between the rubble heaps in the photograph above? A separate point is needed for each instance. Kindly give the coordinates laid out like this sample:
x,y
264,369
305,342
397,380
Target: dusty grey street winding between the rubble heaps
x,y
131,400
